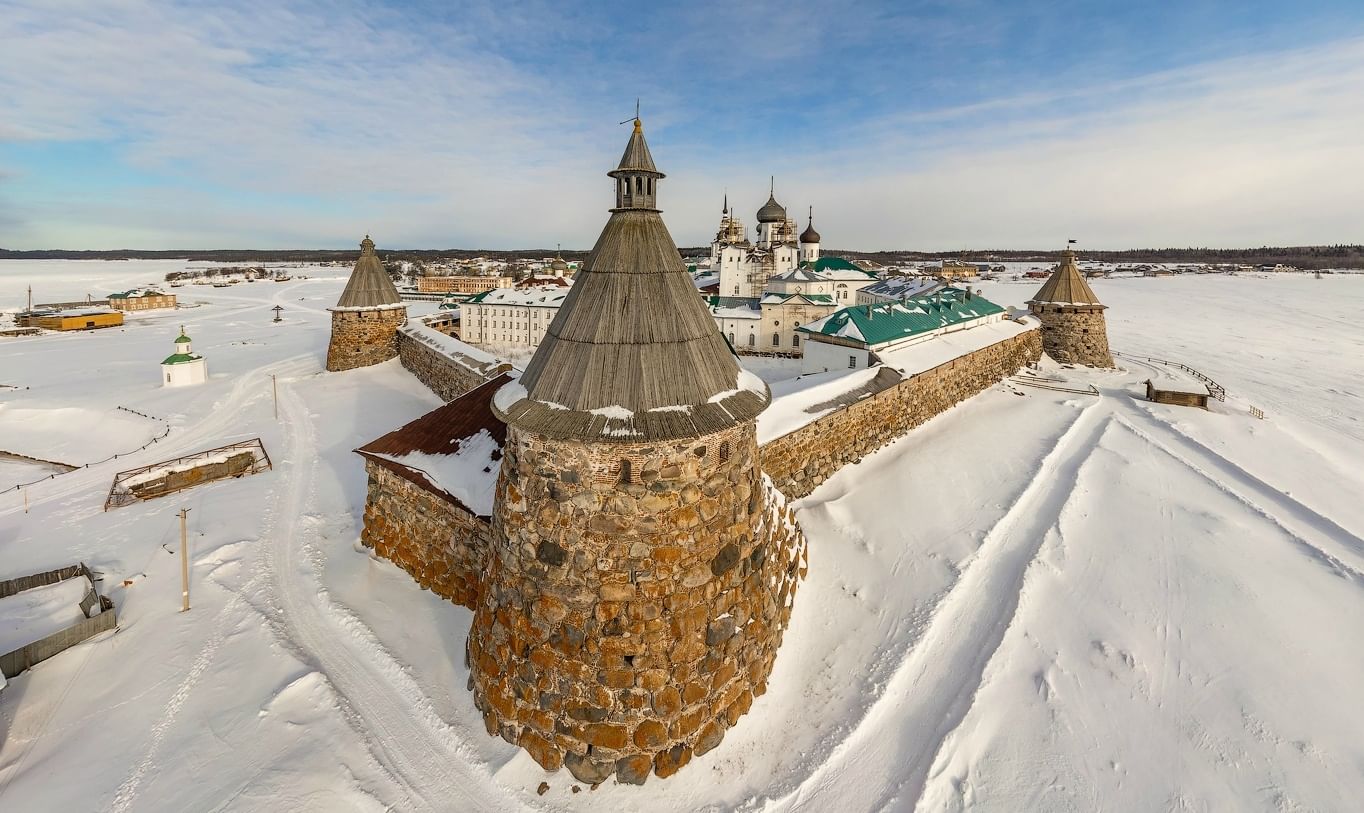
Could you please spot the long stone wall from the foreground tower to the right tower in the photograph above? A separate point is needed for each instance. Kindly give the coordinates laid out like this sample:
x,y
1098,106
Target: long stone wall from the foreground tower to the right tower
x,y
800,462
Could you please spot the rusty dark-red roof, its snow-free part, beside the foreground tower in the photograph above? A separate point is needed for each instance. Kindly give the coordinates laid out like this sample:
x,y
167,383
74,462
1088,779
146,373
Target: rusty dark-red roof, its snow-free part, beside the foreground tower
x,y
434,432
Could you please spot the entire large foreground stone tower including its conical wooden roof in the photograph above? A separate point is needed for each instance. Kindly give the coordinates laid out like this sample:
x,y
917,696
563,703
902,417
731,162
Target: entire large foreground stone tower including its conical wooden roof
x,y
643,570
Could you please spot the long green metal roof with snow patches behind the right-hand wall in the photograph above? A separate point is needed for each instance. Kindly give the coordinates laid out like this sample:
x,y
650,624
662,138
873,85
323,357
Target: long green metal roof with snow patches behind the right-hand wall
x,y
893,321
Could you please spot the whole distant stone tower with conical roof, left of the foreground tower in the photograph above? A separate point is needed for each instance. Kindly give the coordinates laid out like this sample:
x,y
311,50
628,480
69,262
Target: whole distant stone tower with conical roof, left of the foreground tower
x,y
366,320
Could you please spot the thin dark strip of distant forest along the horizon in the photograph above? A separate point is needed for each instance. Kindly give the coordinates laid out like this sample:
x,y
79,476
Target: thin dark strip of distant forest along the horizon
x,y
1303,257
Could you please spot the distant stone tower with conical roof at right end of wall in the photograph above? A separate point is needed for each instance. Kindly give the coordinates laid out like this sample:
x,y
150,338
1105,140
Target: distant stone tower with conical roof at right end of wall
x,y
1073,317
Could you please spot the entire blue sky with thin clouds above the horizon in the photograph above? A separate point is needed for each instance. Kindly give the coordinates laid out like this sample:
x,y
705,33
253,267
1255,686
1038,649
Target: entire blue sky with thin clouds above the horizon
x,y
490,125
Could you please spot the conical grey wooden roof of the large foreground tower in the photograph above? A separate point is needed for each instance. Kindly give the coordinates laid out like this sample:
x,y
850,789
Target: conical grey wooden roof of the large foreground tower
x,y
634,355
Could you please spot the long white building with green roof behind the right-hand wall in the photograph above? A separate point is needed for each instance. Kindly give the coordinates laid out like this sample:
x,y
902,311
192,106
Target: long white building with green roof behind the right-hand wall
x,y
855,338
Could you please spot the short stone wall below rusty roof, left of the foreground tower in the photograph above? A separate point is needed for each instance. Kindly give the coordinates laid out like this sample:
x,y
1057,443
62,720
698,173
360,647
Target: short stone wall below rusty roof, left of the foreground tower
x,y
439,545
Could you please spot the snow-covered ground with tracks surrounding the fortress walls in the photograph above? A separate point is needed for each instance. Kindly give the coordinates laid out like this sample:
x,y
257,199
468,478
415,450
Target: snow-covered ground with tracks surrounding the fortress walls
x,y
1039,601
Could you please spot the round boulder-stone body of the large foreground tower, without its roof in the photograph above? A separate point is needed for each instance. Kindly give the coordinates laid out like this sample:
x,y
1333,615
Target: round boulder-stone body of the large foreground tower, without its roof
x,y
635,600
